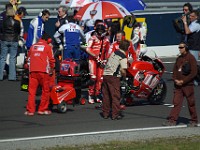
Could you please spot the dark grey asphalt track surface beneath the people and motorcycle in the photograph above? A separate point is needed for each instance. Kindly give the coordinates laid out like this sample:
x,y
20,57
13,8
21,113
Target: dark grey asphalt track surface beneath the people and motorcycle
x,y
81,118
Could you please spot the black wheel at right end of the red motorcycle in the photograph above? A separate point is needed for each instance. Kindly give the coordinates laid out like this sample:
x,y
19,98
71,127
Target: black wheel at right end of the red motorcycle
x,y
158,94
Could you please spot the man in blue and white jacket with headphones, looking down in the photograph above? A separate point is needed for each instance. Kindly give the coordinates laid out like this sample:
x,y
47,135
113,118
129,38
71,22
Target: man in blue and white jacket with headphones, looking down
x,y
36,28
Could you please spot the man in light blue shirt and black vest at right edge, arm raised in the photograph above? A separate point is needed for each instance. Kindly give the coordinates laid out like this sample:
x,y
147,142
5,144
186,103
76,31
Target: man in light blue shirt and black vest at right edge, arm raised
x,y
193,33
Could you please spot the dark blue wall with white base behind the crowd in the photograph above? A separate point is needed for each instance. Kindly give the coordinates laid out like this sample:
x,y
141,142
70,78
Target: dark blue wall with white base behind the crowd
x,y
161,36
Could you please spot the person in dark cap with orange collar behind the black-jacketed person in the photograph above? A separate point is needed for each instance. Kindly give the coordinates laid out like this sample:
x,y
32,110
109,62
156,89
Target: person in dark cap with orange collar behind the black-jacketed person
x,y
21,13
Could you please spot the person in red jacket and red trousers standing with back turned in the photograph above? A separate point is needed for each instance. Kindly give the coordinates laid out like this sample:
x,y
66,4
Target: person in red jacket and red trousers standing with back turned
x,y
41,65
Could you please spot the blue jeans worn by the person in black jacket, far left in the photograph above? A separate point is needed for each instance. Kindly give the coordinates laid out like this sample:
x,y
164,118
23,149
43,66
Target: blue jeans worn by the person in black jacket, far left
x,y
10,47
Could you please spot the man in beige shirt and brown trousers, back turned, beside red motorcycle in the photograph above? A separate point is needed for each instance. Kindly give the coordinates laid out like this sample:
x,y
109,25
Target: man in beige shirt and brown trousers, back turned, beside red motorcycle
x,y
114,69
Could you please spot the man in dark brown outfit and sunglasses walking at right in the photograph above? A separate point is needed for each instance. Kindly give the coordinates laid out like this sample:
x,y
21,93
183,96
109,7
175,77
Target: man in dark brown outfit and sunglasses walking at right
x,y
184,72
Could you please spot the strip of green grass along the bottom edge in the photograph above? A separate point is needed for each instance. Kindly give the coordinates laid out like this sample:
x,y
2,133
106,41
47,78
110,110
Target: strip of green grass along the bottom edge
x,y
185,143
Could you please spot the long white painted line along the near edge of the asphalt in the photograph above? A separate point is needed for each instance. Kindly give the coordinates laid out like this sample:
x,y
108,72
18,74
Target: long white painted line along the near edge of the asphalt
x,y
94,133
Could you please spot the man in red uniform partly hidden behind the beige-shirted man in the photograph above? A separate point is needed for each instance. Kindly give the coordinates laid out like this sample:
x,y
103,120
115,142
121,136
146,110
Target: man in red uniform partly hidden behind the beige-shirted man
x,y
130,54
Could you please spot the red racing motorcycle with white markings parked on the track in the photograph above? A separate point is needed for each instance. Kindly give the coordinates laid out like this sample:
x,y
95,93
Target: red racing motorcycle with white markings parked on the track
x,y
144,81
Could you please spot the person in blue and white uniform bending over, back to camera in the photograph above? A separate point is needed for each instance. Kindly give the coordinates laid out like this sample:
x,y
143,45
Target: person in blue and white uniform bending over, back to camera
x,y
71,37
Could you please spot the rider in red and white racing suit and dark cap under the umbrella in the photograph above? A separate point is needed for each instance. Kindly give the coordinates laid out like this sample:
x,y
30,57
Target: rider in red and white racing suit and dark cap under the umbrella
x,y
98,46
